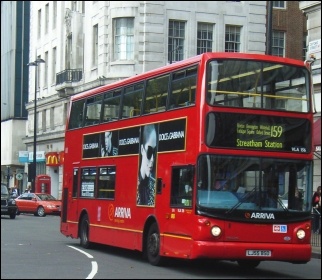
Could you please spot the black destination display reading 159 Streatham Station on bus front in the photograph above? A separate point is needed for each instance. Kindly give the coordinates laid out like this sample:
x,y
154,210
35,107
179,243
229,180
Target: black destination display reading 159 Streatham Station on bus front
x,y
258,132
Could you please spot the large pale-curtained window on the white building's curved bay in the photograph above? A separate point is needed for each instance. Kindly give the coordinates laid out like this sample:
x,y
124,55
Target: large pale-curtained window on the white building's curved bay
x,y
124,39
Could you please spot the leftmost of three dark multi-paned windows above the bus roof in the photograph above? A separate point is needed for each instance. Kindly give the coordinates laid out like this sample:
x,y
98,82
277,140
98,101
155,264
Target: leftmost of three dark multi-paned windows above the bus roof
x,y
176,40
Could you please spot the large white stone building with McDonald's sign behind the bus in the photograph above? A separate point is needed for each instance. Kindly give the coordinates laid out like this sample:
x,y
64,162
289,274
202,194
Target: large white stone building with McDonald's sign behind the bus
x,y
86,44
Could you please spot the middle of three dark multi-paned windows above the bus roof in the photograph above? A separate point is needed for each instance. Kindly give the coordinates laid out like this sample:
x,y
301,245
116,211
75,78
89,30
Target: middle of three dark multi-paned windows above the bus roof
x,y
204,38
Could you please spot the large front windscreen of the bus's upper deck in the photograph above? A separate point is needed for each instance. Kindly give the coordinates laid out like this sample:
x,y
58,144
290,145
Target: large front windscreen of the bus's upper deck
x,y
254,84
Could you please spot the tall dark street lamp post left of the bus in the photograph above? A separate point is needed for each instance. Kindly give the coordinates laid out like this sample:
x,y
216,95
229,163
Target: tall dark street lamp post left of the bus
x,y
34,162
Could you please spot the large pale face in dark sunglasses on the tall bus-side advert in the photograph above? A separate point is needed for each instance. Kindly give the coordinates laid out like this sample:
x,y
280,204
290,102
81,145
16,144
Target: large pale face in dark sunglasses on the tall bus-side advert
x,y
148,153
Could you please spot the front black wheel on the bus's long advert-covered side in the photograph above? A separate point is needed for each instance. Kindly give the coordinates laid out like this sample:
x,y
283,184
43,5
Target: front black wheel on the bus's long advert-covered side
x,y
153,246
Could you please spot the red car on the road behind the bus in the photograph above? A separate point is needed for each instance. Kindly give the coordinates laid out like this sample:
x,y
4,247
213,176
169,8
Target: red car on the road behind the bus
x,y
40,204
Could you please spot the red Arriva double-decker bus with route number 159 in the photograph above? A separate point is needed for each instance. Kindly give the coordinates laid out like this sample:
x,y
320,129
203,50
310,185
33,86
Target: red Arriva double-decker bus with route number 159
x,y
210,157
